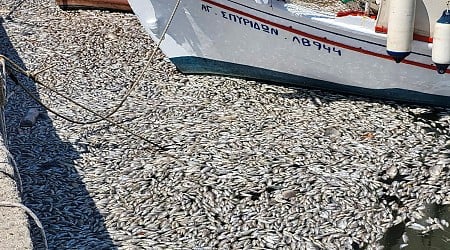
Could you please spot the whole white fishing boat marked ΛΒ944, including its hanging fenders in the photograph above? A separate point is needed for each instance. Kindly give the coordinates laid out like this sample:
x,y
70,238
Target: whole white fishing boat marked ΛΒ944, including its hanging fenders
x,y
400,51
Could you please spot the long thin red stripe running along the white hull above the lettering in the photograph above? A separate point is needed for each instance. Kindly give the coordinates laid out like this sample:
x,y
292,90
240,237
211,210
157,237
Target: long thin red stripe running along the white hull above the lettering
x,y
322,39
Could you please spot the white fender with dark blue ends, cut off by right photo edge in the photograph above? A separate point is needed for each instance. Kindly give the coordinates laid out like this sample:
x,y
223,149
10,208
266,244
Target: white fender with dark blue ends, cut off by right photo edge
x,y
441,43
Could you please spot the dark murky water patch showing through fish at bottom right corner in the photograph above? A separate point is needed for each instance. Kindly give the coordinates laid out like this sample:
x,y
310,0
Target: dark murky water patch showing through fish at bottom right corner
x,y
436,239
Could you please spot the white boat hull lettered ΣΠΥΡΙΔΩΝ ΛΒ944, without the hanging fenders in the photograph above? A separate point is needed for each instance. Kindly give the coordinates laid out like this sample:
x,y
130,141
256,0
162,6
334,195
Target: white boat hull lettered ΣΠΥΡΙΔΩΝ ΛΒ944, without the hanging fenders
x,y
246,39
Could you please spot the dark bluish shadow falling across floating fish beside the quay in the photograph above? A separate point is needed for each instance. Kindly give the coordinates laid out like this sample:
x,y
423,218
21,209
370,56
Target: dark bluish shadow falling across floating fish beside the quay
x,y
52,186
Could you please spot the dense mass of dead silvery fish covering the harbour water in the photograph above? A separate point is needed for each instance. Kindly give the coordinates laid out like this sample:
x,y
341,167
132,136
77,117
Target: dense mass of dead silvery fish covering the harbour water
x,y
248,164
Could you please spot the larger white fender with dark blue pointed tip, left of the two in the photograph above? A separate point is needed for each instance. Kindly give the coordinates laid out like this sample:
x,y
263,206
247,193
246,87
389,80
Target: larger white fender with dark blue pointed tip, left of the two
x,y
400,28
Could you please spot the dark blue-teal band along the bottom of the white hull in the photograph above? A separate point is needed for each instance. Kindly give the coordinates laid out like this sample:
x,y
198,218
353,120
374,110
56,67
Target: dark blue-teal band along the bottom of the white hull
x,y
198,65
